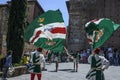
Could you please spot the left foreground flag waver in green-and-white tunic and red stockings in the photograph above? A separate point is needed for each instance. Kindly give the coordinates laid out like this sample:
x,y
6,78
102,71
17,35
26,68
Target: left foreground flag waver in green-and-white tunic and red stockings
x,y
36,59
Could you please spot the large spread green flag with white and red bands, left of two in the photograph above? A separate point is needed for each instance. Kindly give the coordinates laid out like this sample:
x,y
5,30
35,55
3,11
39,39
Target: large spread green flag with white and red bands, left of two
x,y
47,31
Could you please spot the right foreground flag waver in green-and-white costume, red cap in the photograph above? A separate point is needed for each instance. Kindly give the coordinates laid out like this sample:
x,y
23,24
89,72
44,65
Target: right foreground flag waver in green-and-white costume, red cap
x,y
98,65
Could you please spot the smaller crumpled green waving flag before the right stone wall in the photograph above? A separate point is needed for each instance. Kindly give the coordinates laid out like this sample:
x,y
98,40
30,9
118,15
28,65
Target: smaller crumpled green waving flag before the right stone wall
x,y
99,31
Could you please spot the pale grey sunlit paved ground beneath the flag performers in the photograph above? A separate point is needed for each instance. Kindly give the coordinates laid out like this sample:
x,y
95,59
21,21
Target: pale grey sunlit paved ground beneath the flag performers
x,y
66,73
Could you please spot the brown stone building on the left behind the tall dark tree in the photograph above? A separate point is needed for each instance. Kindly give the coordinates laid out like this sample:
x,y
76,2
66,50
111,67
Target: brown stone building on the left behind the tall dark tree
x,y
34,9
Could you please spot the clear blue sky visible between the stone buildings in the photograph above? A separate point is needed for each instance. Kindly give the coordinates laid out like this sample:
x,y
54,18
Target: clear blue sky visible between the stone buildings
x,y
52,5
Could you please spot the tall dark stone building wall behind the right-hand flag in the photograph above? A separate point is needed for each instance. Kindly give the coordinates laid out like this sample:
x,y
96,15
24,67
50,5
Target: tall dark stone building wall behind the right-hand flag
x,y
82,11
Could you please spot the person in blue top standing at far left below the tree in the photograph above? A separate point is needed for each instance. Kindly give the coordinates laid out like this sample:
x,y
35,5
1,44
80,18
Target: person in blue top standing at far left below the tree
x,y
7,64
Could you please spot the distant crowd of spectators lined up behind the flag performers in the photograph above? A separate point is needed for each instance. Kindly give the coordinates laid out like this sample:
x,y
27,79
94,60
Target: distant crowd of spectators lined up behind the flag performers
x,y
112,54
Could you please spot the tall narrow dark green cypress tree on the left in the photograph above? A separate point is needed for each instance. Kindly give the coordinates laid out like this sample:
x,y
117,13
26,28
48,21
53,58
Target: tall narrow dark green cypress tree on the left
x,y
16,25
